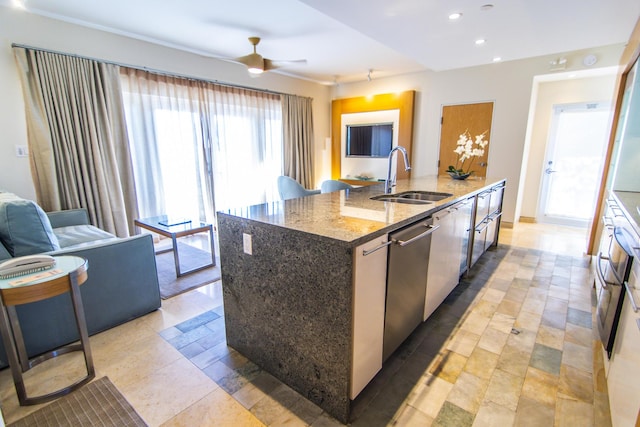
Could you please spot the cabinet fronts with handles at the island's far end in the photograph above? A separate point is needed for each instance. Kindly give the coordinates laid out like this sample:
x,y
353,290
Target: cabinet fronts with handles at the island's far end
x,y
487,221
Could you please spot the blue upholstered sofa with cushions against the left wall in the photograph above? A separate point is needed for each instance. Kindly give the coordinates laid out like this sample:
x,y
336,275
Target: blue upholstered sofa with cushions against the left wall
x,y
122,279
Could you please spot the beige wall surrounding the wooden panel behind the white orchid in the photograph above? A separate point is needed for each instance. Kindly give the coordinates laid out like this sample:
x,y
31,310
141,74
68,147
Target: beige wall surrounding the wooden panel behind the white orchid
x,y
508,84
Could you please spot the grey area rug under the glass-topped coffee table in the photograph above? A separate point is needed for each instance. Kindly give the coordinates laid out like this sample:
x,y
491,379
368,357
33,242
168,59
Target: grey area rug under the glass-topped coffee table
x,y
190,258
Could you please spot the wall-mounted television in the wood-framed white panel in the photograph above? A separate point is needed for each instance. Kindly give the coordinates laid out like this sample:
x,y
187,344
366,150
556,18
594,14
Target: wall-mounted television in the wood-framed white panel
x,y
369,140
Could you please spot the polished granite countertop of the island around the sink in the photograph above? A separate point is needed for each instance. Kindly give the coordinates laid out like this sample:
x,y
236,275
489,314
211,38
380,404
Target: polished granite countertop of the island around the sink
x,y
352,217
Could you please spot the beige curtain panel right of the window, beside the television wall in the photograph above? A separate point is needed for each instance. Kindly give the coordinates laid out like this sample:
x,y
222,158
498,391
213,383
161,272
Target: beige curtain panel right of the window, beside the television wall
x,y
297,123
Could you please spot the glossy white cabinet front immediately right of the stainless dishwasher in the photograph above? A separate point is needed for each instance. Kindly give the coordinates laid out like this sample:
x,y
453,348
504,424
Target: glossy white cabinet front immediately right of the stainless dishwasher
x,y
448,253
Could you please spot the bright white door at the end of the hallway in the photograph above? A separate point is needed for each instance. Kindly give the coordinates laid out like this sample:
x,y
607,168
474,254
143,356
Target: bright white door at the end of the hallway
x,y
573,164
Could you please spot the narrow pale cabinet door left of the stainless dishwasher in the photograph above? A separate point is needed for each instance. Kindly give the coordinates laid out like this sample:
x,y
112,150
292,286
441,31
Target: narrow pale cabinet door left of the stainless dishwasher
x,y
369,285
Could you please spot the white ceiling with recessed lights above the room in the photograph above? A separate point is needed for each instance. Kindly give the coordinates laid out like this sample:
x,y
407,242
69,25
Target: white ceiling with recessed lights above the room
x,y
343,39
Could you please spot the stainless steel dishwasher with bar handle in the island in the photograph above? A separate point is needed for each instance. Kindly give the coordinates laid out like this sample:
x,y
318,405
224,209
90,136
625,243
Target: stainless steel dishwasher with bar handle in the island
x,y
406,282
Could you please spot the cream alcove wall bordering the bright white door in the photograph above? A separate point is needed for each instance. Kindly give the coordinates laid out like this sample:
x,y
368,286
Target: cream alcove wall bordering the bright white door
x,y
592,89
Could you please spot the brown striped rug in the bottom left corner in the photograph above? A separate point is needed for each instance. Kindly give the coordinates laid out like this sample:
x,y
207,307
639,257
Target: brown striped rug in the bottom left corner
x,y
99,403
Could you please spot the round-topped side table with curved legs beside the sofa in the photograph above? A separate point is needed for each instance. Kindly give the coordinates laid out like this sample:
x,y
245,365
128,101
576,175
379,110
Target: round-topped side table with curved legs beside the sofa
x,y
66,276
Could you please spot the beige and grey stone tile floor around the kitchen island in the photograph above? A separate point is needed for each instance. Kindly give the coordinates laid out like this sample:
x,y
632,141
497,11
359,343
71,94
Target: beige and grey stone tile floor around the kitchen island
x,y
512,345
